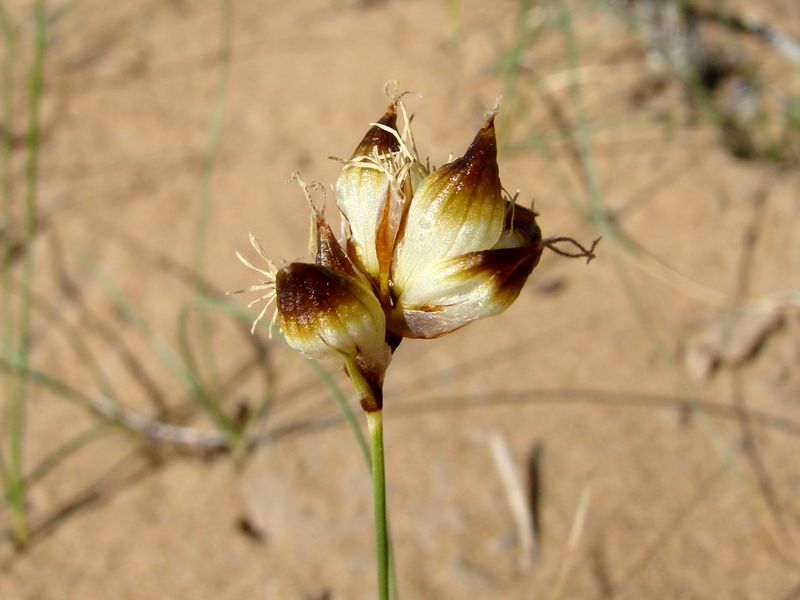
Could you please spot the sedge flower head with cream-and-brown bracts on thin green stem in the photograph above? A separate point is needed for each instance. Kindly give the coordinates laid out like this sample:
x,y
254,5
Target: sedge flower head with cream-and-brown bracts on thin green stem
x,y
425,252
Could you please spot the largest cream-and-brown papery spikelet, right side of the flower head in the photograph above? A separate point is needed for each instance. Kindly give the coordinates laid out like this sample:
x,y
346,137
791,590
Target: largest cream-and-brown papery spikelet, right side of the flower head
x,y
465,251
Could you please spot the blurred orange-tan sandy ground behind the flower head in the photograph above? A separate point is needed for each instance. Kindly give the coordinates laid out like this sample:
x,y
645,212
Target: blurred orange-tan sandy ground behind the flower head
x,y
690,487
